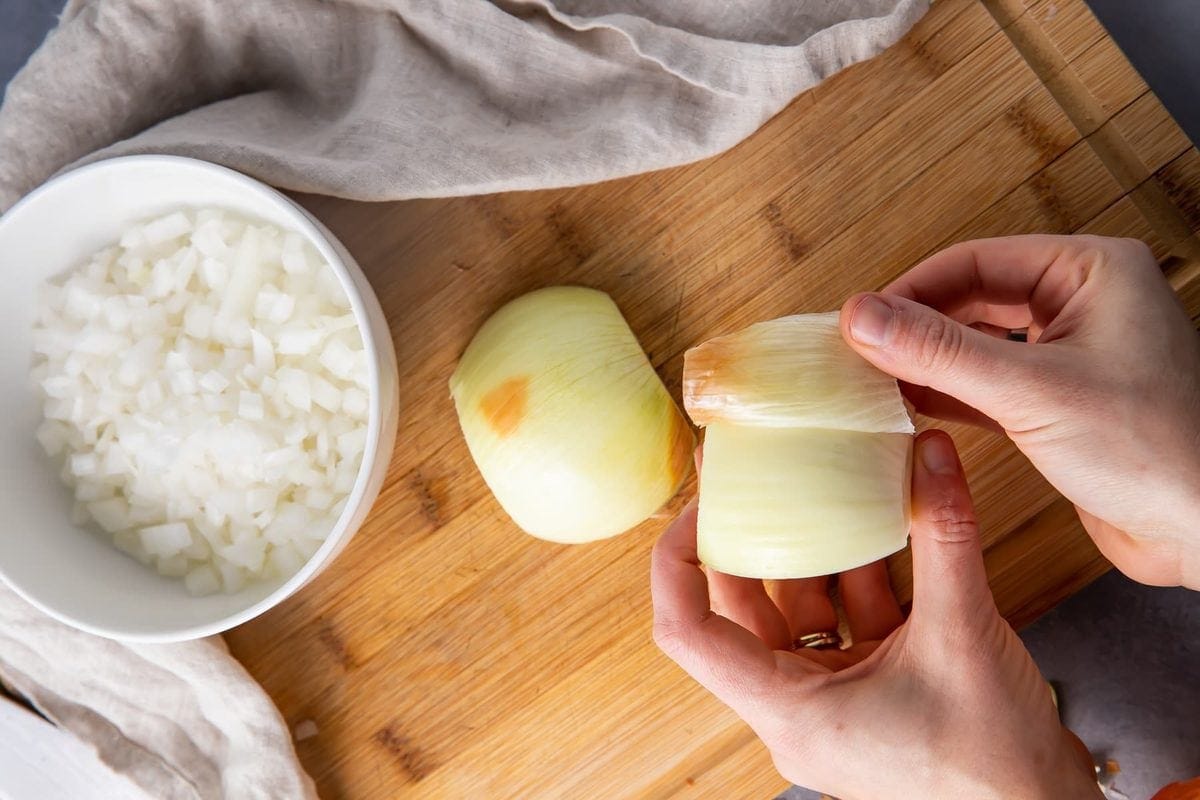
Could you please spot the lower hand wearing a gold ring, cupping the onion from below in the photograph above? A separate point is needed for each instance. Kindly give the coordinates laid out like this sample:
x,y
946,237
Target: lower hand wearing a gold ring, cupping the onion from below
x,y
947,705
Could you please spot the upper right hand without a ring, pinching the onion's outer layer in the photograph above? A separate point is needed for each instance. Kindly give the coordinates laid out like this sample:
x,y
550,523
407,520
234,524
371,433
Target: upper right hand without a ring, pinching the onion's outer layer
x,y
1105,400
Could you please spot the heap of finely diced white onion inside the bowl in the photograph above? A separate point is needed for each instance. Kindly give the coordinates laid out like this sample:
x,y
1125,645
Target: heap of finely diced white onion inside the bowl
x,y
195,380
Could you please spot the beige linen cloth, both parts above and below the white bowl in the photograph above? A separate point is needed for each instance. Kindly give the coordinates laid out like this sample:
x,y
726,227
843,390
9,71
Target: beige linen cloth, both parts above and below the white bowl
x,y
371,100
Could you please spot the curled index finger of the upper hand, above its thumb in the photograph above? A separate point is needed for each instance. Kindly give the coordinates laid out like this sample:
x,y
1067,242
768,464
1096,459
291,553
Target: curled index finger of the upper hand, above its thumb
x,y
1041,273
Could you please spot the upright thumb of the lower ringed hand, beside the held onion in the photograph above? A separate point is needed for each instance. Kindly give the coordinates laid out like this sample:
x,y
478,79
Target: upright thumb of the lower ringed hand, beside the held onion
x,y
949,578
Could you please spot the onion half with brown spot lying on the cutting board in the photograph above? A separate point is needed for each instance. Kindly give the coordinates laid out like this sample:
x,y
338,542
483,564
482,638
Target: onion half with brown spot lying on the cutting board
x,y
567,419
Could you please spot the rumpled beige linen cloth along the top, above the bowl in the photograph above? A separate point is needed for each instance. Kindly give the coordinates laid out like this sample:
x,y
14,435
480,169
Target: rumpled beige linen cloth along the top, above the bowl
x,y
398,99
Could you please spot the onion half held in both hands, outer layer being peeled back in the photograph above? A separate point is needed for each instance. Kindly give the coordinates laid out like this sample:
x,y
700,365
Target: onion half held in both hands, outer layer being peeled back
x,y
808,452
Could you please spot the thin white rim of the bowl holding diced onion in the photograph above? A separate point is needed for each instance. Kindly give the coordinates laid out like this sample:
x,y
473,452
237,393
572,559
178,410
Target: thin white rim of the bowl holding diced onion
x,y
328,246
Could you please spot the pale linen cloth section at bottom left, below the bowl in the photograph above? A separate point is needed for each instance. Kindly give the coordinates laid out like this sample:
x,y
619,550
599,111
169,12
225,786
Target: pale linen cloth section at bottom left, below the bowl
x,y
183,721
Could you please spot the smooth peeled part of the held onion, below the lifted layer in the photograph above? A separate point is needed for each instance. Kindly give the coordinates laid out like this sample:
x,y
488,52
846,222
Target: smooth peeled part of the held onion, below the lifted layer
x,y
795,503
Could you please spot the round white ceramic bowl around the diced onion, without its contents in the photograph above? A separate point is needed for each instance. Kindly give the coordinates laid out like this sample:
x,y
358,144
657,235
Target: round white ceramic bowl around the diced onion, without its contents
x,y
73,574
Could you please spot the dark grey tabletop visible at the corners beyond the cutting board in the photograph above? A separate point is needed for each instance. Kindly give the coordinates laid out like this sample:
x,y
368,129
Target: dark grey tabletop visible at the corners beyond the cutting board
x,y
1125,658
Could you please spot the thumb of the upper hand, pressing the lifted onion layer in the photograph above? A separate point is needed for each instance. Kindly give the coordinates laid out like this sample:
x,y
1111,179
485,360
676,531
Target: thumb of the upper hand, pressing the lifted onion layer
x,y
921,346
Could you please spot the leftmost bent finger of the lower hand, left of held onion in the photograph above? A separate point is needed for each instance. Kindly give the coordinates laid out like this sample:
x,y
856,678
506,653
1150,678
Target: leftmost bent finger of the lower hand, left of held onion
x,y
723,657
